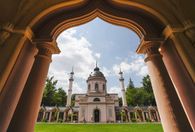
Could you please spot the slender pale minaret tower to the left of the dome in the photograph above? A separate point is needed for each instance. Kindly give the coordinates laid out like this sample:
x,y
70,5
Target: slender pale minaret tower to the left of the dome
x,y
71,79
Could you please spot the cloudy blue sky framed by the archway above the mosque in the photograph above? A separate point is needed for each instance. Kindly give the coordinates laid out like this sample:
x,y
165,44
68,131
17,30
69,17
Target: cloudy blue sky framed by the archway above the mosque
x,y
112,46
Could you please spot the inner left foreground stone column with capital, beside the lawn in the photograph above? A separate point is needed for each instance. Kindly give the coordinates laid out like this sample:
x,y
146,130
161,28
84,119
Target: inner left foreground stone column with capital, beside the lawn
x,y
27,109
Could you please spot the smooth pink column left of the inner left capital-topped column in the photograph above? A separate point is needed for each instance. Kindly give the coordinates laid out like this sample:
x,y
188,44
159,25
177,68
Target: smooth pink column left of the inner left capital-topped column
x,y
14,85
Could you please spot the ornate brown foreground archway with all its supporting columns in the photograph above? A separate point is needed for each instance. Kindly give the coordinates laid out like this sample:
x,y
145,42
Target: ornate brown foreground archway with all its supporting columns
x,y
39,32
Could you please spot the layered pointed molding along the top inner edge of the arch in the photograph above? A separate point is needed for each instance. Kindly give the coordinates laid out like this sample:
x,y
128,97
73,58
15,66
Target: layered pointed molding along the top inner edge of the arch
x,y
121,21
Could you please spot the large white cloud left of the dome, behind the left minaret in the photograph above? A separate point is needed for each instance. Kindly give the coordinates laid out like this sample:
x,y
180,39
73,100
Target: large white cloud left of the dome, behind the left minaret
x,y
76,51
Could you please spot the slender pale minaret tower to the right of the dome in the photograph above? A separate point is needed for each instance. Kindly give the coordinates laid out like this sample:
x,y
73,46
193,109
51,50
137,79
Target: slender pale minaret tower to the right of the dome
x,y
121,79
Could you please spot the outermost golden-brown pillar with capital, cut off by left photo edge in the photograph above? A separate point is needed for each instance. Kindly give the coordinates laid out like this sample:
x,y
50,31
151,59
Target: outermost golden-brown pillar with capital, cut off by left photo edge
x,y
10,48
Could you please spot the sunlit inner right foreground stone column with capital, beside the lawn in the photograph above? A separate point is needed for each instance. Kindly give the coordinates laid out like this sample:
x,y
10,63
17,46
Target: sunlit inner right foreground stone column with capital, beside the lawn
x,y
171,111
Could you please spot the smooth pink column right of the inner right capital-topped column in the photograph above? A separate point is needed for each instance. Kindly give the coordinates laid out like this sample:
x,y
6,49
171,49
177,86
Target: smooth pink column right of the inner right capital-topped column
x,y
184,85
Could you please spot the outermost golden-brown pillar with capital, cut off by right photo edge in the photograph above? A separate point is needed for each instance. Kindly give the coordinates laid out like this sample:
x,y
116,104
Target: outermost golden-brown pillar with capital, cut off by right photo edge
x,y
184,44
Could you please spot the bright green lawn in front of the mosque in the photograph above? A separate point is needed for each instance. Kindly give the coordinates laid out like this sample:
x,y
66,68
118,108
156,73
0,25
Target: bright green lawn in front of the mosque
x,y
149,127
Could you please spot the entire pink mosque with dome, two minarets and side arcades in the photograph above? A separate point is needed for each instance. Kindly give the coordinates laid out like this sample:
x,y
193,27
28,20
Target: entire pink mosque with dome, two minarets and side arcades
x,y
97,105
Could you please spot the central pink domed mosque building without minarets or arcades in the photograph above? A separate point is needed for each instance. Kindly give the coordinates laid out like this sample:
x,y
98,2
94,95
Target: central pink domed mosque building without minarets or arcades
x,y
97,105
